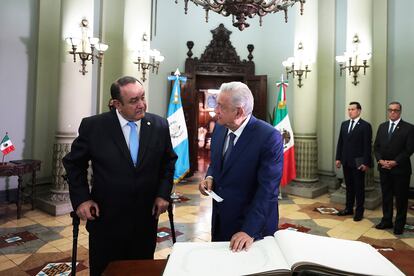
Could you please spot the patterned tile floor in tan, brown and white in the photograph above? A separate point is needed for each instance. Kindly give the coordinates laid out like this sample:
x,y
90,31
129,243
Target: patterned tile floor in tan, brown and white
x,y
40,244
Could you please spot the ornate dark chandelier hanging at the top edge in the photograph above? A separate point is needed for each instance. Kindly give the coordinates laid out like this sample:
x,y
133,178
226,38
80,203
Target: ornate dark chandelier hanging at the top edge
x,y
241,9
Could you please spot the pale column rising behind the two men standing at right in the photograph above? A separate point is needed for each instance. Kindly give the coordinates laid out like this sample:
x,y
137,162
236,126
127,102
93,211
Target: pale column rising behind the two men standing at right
x,y
359,22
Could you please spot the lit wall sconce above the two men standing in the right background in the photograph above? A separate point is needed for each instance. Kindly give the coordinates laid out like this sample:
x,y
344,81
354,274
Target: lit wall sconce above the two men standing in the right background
x,y
354,58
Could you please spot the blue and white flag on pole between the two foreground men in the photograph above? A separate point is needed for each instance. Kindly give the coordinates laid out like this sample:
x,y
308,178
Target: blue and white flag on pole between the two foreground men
x,y
178,129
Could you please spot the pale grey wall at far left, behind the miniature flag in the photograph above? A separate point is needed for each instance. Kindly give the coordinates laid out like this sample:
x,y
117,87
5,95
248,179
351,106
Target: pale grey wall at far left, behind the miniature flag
x,y
18,42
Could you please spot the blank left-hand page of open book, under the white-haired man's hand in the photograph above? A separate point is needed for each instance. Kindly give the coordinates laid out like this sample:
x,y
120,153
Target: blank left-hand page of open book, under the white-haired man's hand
x,y
215,258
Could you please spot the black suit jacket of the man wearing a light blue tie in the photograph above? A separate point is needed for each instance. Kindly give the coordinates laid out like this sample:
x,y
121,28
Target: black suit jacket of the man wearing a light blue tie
x,y
124,193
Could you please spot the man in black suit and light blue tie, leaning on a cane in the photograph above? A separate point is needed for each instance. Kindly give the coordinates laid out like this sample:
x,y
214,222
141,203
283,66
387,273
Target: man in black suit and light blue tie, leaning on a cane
x,y
132,164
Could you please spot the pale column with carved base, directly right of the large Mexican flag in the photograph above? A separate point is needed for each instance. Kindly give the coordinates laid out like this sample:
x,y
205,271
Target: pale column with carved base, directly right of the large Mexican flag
x,y
305,107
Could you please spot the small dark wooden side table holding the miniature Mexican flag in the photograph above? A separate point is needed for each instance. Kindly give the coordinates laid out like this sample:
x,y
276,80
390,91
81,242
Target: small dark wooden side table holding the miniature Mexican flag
x,y
19,168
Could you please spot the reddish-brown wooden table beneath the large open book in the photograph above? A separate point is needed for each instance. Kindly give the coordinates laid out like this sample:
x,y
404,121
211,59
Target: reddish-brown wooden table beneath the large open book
x,y
403,259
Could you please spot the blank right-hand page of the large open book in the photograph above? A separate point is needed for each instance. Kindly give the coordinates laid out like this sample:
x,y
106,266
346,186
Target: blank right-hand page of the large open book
x,y
345,255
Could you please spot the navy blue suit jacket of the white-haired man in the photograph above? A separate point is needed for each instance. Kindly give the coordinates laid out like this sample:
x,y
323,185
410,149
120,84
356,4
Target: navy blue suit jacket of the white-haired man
x,y
249,181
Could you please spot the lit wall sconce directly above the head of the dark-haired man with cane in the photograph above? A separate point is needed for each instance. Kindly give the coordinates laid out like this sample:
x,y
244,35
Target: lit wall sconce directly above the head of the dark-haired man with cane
x,y
147,58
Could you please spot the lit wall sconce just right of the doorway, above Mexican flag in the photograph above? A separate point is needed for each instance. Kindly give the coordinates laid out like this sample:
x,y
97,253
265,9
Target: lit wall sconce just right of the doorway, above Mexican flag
x,y
301,62
